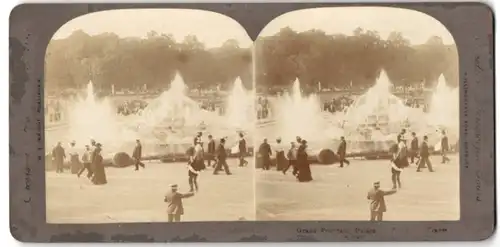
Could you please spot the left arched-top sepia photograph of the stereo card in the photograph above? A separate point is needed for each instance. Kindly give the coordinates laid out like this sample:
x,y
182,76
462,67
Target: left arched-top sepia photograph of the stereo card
x,y
148,118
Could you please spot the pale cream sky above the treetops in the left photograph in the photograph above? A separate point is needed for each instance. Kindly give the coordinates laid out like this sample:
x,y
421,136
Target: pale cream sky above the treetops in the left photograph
x,y
211,28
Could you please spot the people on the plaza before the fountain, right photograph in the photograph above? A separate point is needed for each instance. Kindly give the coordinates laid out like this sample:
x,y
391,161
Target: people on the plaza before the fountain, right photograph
x,y
401,157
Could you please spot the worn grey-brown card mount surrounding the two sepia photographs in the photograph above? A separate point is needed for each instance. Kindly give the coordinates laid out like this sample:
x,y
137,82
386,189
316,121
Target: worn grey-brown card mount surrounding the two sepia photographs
x,y
471,24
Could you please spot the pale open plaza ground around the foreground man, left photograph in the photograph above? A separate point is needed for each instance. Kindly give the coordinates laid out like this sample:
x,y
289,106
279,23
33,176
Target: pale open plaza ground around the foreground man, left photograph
x,y
137,196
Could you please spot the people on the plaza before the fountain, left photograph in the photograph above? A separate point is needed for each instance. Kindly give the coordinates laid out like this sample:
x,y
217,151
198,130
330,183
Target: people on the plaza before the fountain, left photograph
x,y
199,160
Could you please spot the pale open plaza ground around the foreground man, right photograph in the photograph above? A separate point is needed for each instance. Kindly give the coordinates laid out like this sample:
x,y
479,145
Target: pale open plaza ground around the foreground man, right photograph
x,y
340,193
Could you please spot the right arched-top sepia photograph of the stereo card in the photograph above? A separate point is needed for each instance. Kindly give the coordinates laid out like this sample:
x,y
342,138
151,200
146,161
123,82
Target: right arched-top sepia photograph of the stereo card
x,y
357,117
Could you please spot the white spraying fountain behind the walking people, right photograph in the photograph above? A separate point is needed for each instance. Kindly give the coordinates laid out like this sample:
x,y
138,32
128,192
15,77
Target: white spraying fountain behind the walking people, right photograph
x,y
370,125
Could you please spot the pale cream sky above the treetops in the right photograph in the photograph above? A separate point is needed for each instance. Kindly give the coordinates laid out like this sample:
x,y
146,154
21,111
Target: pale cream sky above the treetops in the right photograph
x,y
416,26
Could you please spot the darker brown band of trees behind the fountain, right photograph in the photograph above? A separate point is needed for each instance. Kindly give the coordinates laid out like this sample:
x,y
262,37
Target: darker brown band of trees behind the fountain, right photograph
x,y
338,61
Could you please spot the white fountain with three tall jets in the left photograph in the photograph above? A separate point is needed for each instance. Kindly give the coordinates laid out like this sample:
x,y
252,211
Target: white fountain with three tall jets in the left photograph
x,y
165,127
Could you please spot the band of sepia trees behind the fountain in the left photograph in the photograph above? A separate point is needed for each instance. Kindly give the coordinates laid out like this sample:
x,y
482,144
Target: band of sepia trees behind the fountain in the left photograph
x,y
129,63
